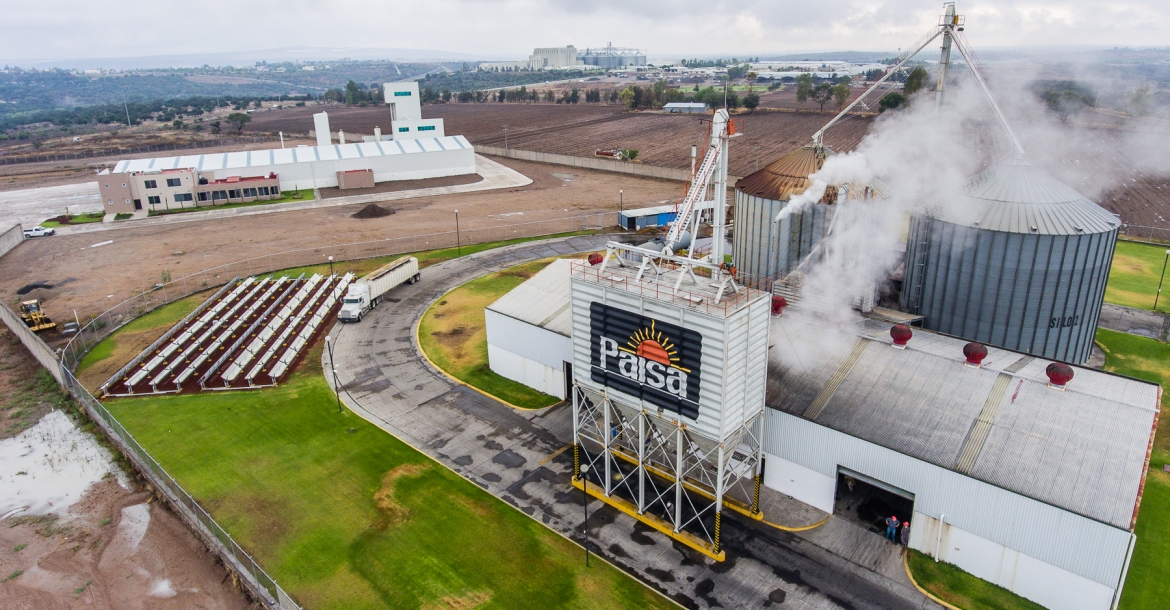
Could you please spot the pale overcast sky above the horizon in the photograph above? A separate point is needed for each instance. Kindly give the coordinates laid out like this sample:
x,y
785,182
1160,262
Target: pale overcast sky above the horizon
x,y
84,30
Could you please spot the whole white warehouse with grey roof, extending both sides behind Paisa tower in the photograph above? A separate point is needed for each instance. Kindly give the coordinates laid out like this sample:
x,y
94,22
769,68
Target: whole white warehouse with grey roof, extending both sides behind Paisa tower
x,y
1020,483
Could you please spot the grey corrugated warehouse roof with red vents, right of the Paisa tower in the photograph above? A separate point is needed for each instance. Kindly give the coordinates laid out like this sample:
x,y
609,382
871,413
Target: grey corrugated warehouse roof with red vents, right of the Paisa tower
x,y
1083,450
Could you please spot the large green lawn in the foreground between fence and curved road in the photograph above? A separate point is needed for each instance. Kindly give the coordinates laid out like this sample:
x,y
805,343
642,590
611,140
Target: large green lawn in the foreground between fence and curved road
x,y
347,517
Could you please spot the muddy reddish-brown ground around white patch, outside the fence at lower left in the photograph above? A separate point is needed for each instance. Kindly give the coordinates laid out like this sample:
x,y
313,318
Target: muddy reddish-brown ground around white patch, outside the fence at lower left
x,y
91,558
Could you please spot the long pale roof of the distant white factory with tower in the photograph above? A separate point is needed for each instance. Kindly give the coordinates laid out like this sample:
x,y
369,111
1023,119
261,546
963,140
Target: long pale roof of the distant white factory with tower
x,y
257,159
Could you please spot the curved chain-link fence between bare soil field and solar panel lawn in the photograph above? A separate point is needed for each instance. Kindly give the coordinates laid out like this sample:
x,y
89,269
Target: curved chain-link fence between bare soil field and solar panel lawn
x,y
113,319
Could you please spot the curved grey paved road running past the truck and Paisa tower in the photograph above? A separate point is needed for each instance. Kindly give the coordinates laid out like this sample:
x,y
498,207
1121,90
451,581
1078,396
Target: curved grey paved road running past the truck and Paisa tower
x,y
514,455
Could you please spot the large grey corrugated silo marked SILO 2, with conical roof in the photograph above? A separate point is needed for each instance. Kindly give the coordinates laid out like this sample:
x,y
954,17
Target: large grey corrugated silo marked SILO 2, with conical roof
x,y
1017,259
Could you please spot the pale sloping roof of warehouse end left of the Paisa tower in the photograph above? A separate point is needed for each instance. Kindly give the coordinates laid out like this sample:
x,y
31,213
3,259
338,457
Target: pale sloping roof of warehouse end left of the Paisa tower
x,y
542,300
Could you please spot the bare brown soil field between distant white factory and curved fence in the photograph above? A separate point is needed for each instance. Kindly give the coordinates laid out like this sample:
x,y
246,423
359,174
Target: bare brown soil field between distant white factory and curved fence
x,y
92,279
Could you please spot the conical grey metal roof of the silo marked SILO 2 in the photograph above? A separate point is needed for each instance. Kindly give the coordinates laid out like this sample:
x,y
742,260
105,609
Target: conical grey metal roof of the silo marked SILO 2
x,y
1017,197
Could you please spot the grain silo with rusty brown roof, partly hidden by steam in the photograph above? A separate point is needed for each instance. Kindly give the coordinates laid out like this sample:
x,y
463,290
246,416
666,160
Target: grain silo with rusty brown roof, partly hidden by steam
x,y
768,250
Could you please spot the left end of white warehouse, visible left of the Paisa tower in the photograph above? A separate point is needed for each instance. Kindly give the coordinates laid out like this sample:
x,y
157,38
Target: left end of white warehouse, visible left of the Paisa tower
x,y
528,332
